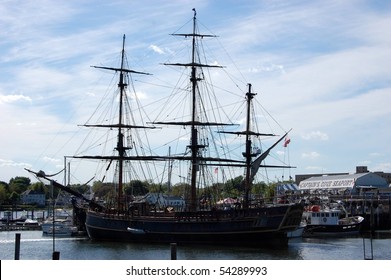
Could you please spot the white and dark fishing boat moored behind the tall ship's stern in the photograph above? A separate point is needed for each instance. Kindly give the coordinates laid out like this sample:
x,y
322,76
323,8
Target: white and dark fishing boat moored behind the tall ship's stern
x,y
321,222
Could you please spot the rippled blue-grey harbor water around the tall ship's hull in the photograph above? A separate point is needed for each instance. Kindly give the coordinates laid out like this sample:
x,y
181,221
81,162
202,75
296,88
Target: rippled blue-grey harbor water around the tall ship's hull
x,y
35,246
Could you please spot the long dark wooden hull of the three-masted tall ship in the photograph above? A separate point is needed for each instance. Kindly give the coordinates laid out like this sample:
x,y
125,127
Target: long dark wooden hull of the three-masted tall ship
x,y
265,226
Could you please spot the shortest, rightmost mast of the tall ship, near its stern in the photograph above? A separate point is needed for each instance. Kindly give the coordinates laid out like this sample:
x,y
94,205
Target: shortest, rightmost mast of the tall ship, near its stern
x,y
248,154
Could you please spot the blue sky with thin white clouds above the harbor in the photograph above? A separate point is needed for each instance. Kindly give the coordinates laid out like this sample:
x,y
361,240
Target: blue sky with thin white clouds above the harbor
x,y
320,67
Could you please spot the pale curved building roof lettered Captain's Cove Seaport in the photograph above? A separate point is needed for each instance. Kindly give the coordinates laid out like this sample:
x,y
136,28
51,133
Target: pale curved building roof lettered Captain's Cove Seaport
x,y
348,181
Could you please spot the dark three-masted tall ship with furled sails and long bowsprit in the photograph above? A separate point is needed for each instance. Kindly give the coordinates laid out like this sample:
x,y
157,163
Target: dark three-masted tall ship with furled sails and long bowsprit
x,y
200,215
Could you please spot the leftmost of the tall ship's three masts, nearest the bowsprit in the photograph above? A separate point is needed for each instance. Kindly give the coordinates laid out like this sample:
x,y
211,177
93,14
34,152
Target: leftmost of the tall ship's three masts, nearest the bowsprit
x,y
120,144
